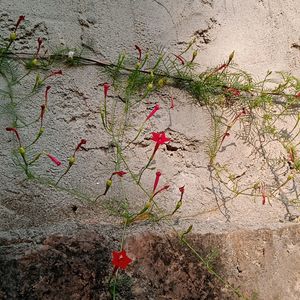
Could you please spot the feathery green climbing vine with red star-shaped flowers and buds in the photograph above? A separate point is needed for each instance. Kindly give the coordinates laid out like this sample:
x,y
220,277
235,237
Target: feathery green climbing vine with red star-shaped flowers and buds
x,y
260,115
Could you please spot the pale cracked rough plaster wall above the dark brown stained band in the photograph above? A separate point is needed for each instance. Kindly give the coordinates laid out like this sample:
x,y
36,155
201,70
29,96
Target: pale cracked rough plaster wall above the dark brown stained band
x,y
264,35
